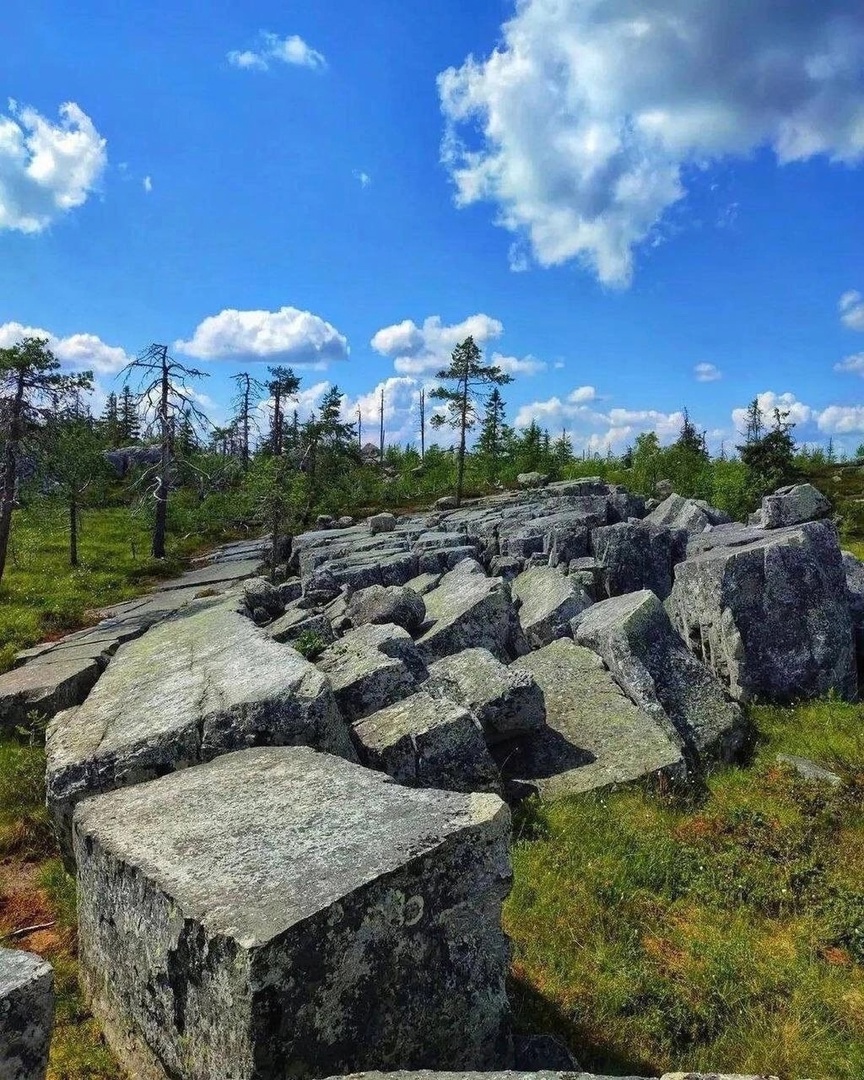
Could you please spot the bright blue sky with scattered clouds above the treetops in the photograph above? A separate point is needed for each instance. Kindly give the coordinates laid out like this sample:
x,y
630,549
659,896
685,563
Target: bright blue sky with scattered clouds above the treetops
x,y
639,208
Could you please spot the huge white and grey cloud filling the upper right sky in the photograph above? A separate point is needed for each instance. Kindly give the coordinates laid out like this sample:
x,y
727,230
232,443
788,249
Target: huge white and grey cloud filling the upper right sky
x,y
582,125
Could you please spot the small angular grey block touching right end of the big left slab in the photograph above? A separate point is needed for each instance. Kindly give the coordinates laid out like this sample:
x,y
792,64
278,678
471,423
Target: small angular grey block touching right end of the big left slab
x,y
371,668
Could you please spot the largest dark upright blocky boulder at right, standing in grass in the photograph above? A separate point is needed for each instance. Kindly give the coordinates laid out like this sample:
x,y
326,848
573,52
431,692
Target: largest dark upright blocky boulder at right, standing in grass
x,y
771,616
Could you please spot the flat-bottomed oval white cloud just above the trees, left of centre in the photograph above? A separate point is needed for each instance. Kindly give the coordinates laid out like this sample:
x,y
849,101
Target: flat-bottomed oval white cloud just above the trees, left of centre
x,y
288,336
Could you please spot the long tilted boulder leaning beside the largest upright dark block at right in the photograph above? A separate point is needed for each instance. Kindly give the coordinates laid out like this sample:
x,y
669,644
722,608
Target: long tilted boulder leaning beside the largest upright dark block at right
x,y
654,667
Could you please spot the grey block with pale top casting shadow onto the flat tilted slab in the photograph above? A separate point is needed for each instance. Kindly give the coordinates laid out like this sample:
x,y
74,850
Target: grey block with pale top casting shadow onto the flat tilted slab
x,y
507,703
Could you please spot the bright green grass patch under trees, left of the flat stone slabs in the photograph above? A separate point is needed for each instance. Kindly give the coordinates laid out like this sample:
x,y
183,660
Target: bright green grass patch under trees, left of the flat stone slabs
x,y
42,596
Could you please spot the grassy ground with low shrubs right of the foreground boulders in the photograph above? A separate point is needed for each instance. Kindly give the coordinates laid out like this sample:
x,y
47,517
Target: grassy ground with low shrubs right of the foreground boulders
x,y
724,936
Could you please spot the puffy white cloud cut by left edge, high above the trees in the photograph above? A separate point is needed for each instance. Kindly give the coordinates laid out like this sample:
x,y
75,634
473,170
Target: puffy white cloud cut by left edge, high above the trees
x,y
47,169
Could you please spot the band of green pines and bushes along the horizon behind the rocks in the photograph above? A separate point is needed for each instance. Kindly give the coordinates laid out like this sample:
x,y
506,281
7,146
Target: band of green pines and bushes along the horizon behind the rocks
x,y
208,478
